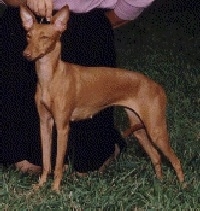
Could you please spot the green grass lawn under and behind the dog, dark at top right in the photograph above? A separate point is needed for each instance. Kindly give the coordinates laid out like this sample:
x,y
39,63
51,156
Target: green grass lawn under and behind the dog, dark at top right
x,y
168,52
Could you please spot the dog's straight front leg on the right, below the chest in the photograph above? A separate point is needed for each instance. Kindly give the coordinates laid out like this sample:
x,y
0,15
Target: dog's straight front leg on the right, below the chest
x,y
62,140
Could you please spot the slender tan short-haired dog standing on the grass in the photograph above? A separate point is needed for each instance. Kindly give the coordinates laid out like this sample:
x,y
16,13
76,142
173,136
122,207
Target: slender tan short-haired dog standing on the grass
x,y
67,92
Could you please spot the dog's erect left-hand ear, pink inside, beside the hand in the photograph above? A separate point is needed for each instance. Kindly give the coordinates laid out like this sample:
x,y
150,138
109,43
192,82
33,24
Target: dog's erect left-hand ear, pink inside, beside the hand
x,y
27,17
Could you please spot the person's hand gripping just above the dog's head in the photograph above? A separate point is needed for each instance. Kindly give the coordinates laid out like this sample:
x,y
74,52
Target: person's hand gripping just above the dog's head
x,y
41,7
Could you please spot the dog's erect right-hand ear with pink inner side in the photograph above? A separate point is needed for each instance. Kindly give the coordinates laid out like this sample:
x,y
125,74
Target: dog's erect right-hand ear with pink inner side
x,y
60,19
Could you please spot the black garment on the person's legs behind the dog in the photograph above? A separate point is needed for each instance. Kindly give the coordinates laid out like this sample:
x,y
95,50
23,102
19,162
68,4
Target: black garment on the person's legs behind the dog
x,y
88,41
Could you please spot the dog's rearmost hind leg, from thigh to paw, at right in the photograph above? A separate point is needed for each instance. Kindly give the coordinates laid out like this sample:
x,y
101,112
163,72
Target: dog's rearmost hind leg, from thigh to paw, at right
x,y
154,118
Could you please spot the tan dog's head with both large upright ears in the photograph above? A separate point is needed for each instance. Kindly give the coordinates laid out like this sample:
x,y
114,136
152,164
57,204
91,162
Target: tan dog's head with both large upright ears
x,y
42,38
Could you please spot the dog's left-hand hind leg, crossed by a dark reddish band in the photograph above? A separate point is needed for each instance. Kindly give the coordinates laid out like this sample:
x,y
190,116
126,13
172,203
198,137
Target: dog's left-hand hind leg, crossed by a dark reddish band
x,y
140,133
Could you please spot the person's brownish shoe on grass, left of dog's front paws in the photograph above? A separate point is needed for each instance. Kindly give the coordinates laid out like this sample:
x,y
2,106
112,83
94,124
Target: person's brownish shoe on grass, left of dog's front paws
x,y
26,166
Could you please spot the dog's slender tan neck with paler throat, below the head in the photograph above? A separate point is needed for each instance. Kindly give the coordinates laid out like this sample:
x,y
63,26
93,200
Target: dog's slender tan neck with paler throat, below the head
x,y
48,64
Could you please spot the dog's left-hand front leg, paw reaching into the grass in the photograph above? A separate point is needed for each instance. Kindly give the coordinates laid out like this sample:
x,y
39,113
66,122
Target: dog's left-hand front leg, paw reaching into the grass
x,y
46,124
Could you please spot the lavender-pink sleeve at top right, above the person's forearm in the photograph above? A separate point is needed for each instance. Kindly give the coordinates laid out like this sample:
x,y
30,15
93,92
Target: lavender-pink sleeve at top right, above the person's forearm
x,y
130,9
